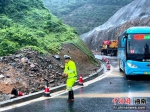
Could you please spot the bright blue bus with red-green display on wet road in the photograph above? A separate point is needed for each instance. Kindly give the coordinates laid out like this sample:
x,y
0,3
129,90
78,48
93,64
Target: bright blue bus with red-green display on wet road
x,y
134,51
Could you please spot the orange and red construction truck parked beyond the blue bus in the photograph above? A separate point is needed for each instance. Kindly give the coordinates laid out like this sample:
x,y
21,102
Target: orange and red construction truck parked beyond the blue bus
x,y
109,47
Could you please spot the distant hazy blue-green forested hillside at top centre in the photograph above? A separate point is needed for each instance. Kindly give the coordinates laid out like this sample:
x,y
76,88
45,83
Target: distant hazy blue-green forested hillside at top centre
x,y
84,15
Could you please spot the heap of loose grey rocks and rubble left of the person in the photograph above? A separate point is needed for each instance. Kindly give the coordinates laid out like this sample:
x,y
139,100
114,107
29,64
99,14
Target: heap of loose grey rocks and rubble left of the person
x,y
27,70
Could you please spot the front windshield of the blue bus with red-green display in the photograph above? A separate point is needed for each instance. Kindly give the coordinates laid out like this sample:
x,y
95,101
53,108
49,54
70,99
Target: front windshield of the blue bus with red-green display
x,y
138,44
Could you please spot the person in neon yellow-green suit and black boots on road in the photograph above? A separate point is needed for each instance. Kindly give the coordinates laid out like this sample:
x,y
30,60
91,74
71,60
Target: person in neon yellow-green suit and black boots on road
x,y
71,73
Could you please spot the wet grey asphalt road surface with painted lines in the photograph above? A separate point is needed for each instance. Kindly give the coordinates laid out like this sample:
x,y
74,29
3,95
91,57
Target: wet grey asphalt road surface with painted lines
x,y
98,95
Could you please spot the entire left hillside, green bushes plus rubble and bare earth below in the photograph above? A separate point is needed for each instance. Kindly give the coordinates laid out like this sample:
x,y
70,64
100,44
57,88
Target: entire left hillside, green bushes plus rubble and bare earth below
x,y
30,37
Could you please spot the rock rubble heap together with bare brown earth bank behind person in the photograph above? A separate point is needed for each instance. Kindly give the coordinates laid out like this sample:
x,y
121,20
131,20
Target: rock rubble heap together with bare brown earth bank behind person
x,y
27,69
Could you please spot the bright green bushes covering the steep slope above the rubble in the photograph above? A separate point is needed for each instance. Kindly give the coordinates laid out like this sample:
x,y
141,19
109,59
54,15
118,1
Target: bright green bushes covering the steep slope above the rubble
x,y
28,24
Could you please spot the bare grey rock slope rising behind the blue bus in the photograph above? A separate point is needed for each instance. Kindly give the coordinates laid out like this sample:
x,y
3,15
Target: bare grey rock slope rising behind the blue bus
x,y
136,13
